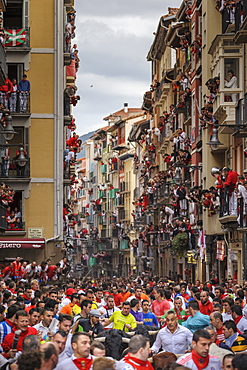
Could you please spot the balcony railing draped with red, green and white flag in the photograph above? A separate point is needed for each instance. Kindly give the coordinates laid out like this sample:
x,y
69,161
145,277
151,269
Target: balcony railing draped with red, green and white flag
x,y
19,39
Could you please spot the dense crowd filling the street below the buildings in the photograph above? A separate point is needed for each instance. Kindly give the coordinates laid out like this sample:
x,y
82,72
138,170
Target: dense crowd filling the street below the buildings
x,y
119,323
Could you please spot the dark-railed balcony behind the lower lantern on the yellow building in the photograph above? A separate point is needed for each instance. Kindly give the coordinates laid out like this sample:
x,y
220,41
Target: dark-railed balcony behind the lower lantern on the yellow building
x,y
16,173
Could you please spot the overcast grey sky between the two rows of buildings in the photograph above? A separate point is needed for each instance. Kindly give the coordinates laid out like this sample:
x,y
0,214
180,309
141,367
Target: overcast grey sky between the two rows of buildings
x,y
113,38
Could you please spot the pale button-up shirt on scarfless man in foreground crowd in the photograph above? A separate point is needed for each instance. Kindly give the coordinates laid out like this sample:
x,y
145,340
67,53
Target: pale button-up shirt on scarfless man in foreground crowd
x,y
177,342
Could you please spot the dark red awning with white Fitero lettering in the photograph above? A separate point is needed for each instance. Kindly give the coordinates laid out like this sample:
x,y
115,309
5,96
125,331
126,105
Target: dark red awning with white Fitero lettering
x,y
11,243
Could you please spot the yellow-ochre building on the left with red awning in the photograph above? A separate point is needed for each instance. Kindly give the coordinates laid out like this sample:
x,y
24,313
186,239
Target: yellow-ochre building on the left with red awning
x,y
37,47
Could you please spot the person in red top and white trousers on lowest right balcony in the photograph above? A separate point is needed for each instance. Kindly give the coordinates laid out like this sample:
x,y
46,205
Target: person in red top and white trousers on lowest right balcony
x,y
231,178
